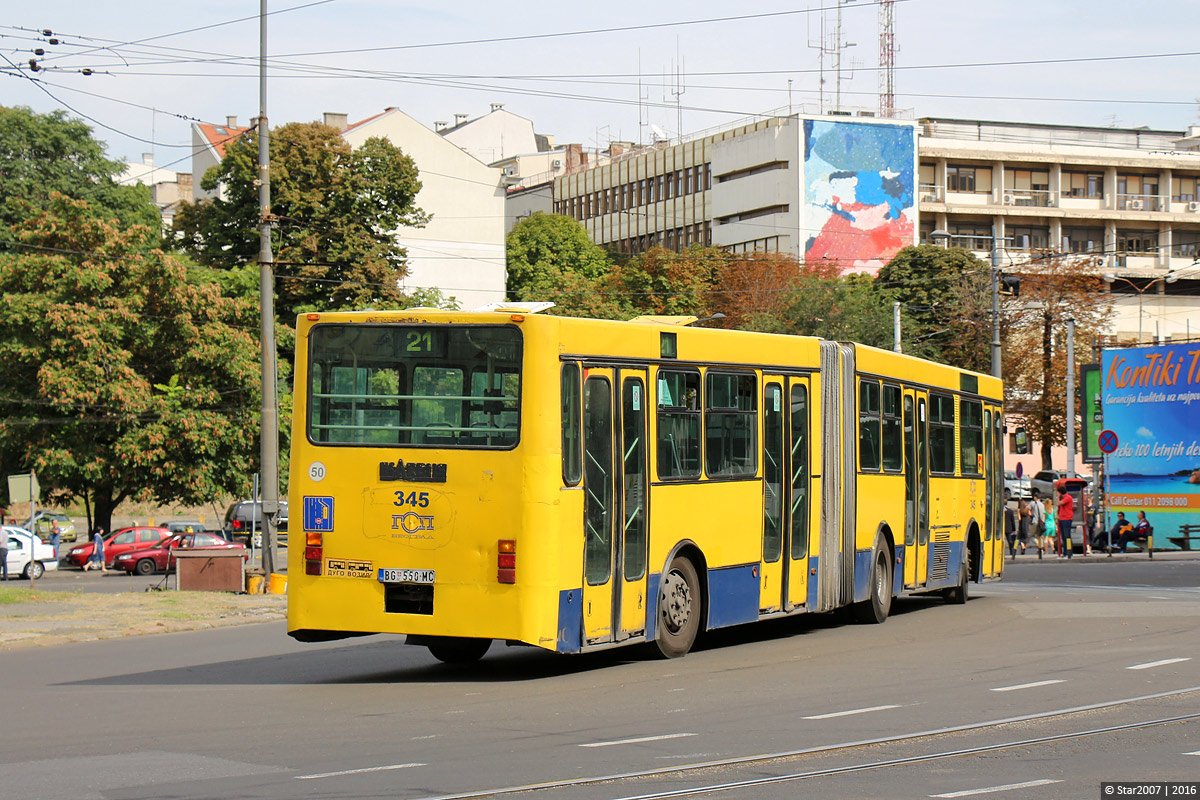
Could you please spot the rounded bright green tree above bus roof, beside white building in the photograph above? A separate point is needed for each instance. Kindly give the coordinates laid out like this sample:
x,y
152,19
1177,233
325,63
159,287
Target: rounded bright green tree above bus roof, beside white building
x,y
548,255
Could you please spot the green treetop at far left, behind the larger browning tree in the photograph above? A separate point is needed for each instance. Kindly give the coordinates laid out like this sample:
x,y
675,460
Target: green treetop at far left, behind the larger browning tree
x,y
44,154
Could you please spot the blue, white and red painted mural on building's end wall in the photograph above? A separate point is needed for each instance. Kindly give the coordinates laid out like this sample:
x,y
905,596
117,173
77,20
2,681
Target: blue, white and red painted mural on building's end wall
x,y
861,202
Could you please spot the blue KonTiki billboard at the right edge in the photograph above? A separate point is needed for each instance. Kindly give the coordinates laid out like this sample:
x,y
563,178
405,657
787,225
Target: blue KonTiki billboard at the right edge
x,y
1151,399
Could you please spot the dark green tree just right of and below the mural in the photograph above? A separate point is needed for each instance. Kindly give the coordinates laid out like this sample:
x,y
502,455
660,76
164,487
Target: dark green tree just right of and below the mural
x,y
945,294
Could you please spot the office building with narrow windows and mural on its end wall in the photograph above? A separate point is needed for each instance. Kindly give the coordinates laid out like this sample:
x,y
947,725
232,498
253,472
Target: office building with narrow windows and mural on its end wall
x,y
819,188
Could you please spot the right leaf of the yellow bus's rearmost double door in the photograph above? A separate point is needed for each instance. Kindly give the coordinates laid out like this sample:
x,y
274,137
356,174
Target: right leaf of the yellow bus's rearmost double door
x,y
634,479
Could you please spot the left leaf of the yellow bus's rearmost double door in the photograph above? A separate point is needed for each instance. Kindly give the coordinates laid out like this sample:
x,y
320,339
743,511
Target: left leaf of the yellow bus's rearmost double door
x,y
599,506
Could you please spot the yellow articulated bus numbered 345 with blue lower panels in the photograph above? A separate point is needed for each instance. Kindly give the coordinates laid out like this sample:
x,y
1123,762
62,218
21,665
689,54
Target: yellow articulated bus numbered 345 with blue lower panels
x,y
579,485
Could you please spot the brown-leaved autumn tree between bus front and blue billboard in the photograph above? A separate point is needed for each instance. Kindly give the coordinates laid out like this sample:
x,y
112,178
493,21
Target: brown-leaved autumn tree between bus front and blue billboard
x,y
1054,290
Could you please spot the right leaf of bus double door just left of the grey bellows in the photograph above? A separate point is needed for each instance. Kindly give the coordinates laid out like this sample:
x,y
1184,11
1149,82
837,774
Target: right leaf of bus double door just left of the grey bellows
x,y
796,522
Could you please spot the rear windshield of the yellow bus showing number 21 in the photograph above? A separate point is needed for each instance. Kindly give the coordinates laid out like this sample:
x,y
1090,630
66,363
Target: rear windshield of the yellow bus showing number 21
x,y
422,386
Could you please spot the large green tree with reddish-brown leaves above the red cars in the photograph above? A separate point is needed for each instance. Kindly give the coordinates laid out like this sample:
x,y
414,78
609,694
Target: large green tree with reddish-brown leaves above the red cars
x,y
123,377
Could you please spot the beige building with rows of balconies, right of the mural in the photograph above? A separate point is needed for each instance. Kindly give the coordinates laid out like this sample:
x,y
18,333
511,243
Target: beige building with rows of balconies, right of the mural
x,y
1130,197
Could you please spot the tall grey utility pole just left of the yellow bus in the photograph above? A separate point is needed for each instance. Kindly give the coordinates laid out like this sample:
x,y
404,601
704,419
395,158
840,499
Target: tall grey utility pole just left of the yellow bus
x,y
269,436
